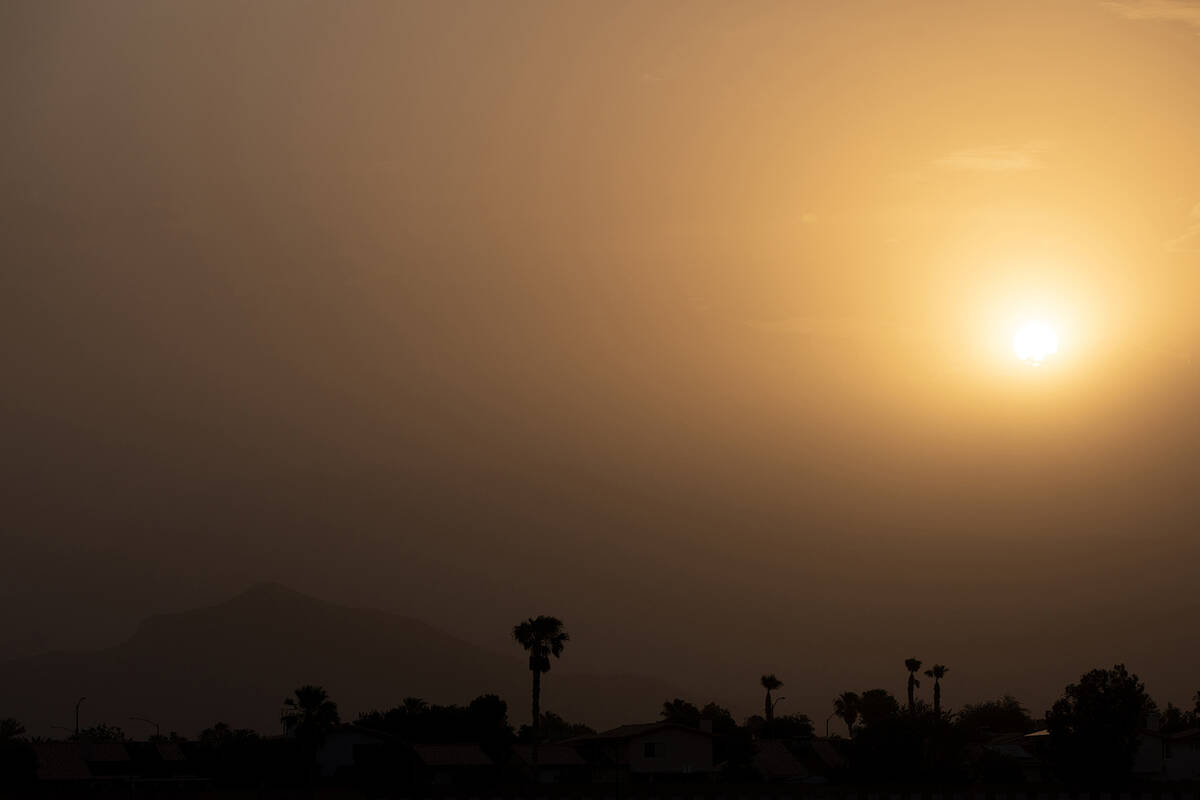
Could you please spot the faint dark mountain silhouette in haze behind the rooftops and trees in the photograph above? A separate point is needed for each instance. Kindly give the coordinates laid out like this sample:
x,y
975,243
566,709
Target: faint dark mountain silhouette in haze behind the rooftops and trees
x,y
238,660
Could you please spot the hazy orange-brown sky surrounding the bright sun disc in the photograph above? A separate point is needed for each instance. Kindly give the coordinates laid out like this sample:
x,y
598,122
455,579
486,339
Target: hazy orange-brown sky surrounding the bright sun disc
x,y
687,322
